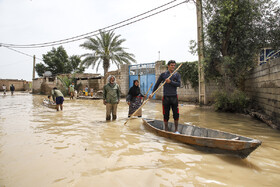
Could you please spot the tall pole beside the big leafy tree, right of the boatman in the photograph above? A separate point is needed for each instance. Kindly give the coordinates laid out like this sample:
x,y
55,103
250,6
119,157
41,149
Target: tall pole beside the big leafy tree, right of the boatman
x,y
202,90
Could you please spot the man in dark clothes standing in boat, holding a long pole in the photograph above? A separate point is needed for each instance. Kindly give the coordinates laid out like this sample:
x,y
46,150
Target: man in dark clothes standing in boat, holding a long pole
x,y
170,97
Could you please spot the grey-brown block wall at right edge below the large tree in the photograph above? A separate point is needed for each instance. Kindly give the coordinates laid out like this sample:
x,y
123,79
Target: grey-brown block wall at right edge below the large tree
x,y
263,85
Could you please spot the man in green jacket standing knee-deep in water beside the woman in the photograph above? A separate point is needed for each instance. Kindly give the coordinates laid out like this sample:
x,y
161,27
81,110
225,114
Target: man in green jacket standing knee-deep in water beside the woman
x,y
111,97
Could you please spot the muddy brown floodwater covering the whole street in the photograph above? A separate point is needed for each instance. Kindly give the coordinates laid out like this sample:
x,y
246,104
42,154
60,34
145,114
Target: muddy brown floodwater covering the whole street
x,y
77,147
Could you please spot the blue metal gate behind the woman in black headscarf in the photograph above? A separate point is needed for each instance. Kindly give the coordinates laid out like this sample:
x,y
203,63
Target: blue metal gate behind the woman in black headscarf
x,y
145,74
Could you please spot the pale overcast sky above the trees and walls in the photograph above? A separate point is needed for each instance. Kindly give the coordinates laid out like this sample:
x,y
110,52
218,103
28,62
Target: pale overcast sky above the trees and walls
x,y
40,21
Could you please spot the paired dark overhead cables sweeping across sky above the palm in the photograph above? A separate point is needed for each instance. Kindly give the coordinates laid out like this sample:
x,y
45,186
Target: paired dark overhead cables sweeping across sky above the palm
x,y
94,33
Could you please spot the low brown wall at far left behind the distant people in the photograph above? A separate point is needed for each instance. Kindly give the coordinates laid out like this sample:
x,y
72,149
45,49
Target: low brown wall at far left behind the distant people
x,y
20,85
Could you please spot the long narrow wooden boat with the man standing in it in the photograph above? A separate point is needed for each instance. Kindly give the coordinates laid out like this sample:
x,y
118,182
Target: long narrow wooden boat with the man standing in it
x,y
206,139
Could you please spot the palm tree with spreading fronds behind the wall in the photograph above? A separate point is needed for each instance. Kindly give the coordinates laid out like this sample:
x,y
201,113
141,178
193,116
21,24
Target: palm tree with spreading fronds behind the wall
x,y
106,48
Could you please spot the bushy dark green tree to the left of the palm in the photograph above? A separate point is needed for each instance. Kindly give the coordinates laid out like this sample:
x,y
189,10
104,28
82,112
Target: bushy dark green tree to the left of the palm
x,y
57,62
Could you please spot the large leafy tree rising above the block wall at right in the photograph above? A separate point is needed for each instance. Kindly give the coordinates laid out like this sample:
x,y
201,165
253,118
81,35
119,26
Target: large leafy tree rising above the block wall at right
x,y
236,30
